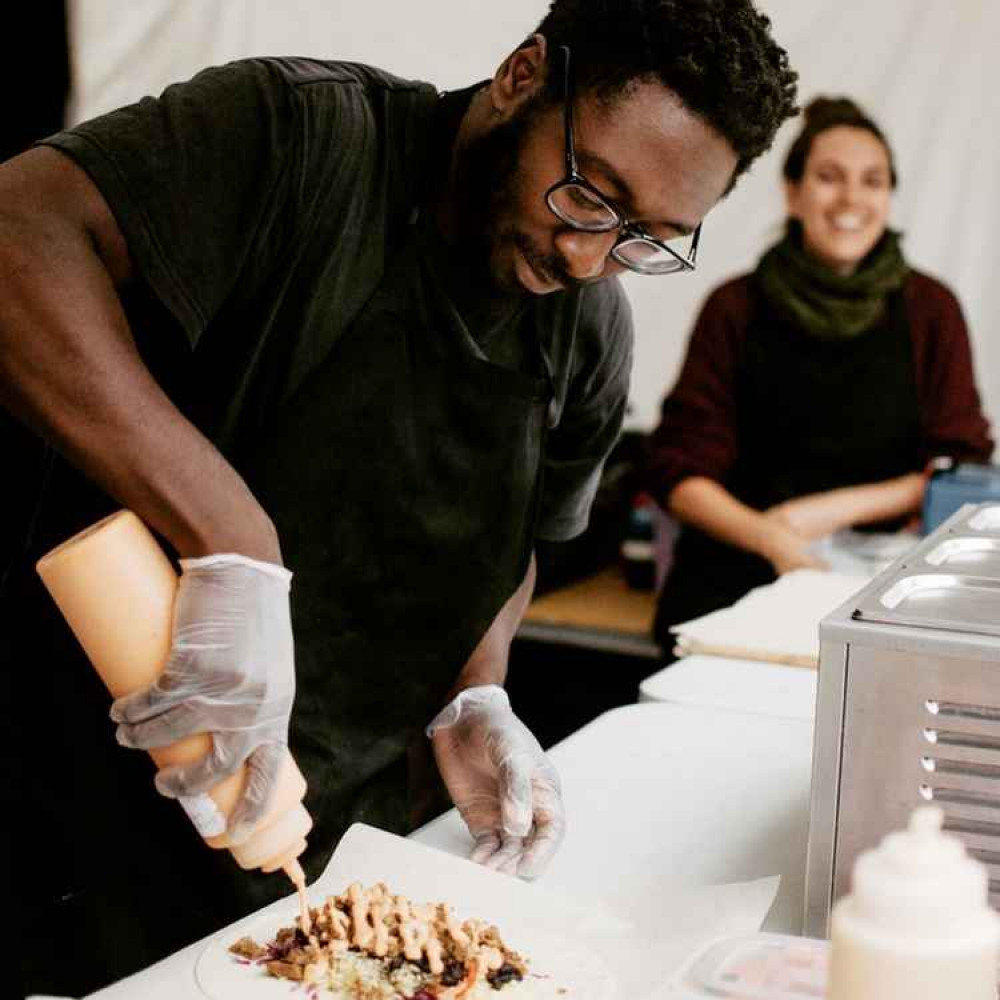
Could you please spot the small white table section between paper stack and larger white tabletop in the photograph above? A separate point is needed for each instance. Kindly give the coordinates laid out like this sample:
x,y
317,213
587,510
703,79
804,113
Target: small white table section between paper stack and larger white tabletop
x,y
742,685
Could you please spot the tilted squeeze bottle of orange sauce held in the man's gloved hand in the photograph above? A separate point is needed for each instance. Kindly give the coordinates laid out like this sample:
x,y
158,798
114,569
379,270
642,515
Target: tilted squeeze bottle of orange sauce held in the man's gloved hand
x,y
115,587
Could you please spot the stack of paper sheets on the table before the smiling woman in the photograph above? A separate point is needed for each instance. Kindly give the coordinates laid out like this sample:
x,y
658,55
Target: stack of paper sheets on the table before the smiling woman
x,y
778,622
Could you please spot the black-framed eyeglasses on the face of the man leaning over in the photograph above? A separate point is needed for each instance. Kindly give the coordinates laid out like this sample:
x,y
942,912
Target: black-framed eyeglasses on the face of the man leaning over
x,y
575,201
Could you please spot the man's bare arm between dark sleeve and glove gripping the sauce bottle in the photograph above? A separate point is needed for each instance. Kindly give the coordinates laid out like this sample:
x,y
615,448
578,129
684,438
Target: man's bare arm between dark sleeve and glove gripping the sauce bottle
x,y
69,366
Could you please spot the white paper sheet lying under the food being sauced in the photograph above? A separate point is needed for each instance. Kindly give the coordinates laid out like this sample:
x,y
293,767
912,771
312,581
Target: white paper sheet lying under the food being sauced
x,y
625,956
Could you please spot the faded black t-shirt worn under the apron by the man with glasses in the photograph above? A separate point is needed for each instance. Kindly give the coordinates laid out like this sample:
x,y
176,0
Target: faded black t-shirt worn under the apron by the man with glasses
x,y
260,202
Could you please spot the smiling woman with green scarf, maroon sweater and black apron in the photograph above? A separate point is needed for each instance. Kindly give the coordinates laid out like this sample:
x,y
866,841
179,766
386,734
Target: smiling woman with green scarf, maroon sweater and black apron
x,y
816,389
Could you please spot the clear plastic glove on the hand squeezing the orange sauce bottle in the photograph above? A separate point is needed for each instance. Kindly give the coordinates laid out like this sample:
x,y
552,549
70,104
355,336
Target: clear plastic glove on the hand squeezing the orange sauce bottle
x,y
231,673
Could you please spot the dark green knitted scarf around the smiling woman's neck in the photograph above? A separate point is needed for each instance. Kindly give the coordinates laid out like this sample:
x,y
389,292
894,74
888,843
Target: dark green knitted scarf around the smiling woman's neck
x,y
821,302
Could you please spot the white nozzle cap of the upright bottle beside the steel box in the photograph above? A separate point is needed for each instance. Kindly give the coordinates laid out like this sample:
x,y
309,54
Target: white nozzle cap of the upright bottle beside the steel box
x,y
921,879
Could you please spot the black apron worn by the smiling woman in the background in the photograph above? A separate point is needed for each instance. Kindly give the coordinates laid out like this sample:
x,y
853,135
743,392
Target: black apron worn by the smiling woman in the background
x,y
814,415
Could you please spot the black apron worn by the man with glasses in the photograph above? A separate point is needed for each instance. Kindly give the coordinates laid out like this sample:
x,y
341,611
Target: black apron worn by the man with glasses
x,y
404,479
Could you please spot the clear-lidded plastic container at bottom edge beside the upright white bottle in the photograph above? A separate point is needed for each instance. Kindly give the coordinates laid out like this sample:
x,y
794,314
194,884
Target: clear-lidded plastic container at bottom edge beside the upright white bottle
x,y
756,967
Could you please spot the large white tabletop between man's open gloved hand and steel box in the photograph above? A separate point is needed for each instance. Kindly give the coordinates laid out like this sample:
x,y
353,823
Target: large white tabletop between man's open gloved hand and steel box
x,y
661,794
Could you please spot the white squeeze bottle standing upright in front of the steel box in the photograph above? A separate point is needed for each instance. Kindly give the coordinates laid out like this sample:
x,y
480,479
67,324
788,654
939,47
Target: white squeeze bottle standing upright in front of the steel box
x,y
917,924
